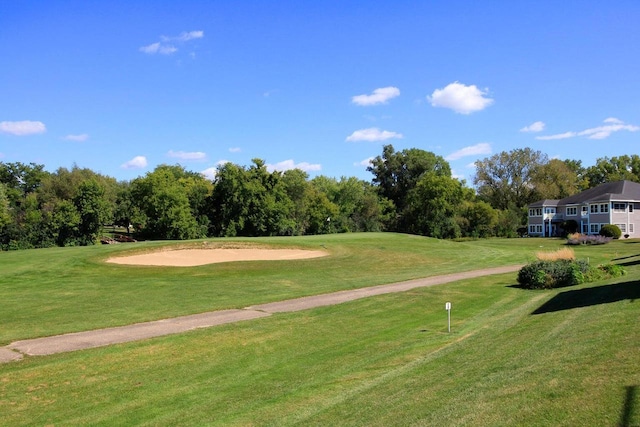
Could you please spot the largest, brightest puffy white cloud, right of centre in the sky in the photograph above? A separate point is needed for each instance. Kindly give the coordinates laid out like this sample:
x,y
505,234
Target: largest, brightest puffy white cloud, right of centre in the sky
x,y
460,98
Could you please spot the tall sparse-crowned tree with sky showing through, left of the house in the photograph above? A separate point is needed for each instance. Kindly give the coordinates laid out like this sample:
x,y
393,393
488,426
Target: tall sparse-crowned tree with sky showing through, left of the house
x,y
506,180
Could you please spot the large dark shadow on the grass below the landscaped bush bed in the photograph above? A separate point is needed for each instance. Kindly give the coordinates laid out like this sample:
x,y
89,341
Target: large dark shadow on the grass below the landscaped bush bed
x,y
591,296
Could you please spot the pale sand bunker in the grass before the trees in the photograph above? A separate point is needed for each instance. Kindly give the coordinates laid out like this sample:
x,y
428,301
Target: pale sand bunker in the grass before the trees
x,y
193,257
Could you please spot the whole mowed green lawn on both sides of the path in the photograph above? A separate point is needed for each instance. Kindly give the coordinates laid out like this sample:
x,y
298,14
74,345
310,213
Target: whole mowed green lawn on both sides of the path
x,y
514,357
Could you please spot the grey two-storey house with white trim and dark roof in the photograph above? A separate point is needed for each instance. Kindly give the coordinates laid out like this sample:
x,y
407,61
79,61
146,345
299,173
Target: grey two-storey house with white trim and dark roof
x,y
611,203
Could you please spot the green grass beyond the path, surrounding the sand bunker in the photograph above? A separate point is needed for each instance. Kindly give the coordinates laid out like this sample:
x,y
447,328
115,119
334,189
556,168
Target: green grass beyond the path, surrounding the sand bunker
x,y
59,290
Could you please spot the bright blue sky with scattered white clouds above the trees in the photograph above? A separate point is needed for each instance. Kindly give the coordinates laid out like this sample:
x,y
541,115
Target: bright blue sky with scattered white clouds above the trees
x,y
123,86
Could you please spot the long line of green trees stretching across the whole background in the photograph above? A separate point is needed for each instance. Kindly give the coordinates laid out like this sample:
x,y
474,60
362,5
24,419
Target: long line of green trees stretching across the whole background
x,y
411,191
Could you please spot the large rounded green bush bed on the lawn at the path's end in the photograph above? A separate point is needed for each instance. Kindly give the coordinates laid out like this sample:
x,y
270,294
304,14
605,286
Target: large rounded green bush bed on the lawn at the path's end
x,y
563,272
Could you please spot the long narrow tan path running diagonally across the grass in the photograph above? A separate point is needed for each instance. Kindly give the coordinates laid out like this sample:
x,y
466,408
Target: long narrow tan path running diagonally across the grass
x,y
139,331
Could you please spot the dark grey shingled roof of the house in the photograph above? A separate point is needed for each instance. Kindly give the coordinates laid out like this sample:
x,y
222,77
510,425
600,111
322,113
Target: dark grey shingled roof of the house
x,y
610,191
